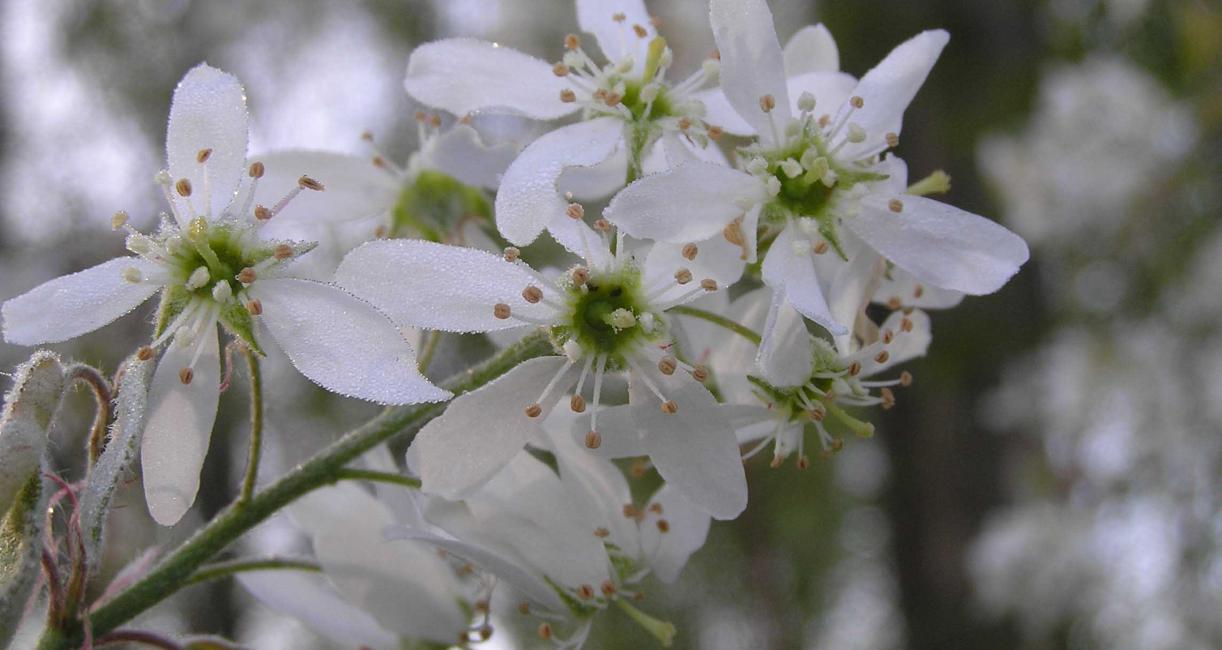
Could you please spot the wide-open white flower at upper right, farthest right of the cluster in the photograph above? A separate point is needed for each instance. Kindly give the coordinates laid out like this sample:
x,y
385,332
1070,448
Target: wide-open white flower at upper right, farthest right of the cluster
x,y
813,174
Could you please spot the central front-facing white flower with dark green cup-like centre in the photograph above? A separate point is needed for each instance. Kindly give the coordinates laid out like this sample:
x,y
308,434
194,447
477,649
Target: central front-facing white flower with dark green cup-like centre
x,y
607,317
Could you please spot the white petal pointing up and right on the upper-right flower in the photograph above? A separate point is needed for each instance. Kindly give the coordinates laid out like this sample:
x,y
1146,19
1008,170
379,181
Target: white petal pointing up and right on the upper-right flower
x,y
889,89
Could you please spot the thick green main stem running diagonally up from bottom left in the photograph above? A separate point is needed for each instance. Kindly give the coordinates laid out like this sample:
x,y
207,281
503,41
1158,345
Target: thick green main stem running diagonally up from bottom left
x,y
323,470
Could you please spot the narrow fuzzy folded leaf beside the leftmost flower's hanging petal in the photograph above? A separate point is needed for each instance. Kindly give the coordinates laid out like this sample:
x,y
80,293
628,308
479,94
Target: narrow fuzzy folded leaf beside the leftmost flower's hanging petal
x,y
117,459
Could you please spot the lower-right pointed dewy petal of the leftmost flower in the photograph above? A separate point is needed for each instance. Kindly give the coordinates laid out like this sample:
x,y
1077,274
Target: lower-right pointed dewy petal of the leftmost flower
x,y
342,343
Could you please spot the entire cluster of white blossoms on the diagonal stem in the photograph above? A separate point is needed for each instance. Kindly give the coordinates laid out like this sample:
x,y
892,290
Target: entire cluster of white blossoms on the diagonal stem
x,y
759,269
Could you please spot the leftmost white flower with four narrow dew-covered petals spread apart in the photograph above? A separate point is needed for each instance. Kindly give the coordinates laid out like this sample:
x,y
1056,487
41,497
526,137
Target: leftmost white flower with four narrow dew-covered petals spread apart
x,y
212,267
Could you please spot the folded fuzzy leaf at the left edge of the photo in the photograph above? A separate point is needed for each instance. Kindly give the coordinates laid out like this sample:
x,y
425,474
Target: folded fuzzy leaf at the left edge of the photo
x,y
29,411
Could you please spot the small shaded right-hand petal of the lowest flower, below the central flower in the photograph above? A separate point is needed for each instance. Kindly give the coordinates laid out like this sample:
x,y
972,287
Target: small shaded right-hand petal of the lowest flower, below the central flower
x,y
685,535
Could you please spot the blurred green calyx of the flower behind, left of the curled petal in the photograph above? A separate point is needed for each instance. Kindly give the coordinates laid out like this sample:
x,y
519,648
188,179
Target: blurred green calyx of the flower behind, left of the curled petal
x,y
434,207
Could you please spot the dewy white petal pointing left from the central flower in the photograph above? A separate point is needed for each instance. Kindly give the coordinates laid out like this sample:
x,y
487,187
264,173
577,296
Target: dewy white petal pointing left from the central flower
x,y
436,287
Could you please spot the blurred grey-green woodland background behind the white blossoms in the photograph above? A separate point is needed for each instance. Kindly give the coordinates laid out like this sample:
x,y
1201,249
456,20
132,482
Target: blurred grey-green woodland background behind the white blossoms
x,y
1052,480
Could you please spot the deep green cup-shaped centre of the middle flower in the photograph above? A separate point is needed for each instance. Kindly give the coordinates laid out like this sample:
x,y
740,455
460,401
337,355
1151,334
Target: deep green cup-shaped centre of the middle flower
x,y
608,315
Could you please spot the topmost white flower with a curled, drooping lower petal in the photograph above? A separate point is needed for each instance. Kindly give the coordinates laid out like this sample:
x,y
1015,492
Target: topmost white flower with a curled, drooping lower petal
x,y
626,106
